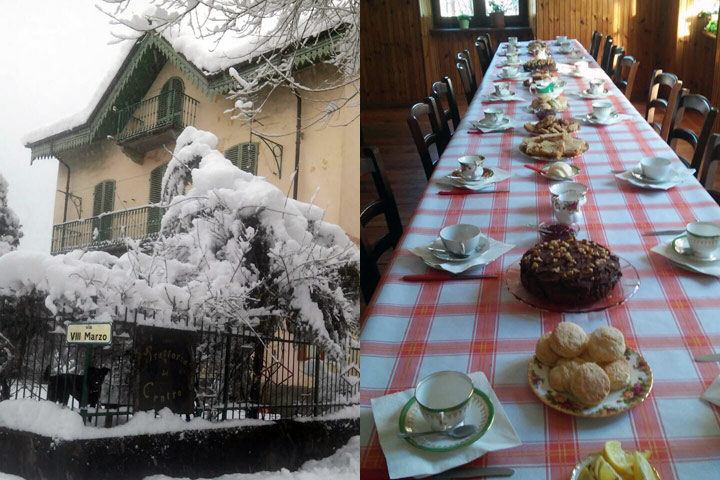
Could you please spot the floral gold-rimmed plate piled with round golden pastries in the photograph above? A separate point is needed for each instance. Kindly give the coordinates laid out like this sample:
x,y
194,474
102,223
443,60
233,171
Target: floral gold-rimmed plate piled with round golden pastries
x,y
588,375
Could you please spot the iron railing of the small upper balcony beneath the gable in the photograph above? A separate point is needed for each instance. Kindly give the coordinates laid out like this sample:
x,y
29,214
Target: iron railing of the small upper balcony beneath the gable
x,y
169,109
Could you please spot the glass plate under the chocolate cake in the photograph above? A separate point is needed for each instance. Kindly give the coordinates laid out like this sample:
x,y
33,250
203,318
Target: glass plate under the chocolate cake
x,y
624,289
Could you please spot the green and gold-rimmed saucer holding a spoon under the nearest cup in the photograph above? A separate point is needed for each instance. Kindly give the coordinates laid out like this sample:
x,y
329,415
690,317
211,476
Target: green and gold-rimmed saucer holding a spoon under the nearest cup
x,y
481,412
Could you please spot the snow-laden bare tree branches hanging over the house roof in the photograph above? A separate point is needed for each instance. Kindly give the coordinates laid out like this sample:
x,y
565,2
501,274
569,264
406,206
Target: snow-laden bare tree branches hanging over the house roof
x,y
278,28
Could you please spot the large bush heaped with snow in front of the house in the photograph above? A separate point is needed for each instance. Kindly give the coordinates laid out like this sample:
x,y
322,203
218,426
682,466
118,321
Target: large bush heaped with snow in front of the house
x,y
233,250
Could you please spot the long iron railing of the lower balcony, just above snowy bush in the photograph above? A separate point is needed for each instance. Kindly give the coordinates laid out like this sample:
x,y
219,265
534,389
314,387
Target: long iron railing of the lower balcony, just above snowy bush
x,y
107,230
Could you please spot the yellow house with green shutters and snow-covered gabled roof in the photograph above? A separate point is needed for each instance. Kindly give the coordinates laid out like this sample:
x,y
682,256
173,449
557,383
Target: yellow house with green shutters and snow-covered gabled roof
x,y
113,155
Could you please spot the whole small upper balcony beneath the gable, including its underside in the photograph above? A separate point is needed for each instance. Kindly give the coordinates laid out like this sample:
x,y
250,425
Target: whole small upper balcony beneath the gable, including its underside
x,y
154,122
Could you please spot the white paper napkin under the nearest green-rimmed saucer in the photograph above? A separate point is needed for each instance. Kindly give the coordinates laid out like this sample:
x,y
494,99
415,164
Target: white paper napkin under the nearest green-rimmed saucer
x,y
404,460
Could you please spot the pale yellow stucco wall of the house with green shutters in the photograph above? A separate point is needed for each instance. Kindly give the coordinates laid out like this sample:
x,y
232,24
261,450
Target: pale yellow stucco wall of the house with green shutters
x,y
328,151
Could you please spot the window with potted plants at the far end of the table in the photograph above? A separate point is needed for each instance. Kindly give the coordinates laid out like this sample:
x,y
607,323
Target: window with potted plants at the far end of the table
x,y
445,12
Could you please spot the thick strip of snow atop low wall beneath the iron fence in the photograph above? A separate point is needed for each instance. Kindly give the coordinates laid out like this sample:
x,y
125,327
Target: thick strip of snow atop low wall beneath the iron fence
x,y
52,420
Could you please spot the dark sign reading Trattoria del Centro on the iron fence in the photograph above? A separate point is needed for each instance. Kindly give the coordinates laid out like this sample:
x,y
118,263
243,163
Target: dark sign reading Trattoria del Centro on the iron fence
x,y
164,369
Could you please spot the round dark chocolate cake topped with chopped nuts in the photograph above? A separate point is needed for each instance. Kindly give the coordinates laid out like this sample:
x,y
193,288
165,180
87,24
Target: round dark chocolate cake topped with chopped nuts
x,y
569,272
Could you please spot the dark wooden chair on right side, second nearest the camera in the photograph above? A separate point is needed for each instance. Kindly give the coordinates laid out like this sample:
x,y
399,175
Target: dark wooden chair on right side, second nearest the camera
x,y
701,105
